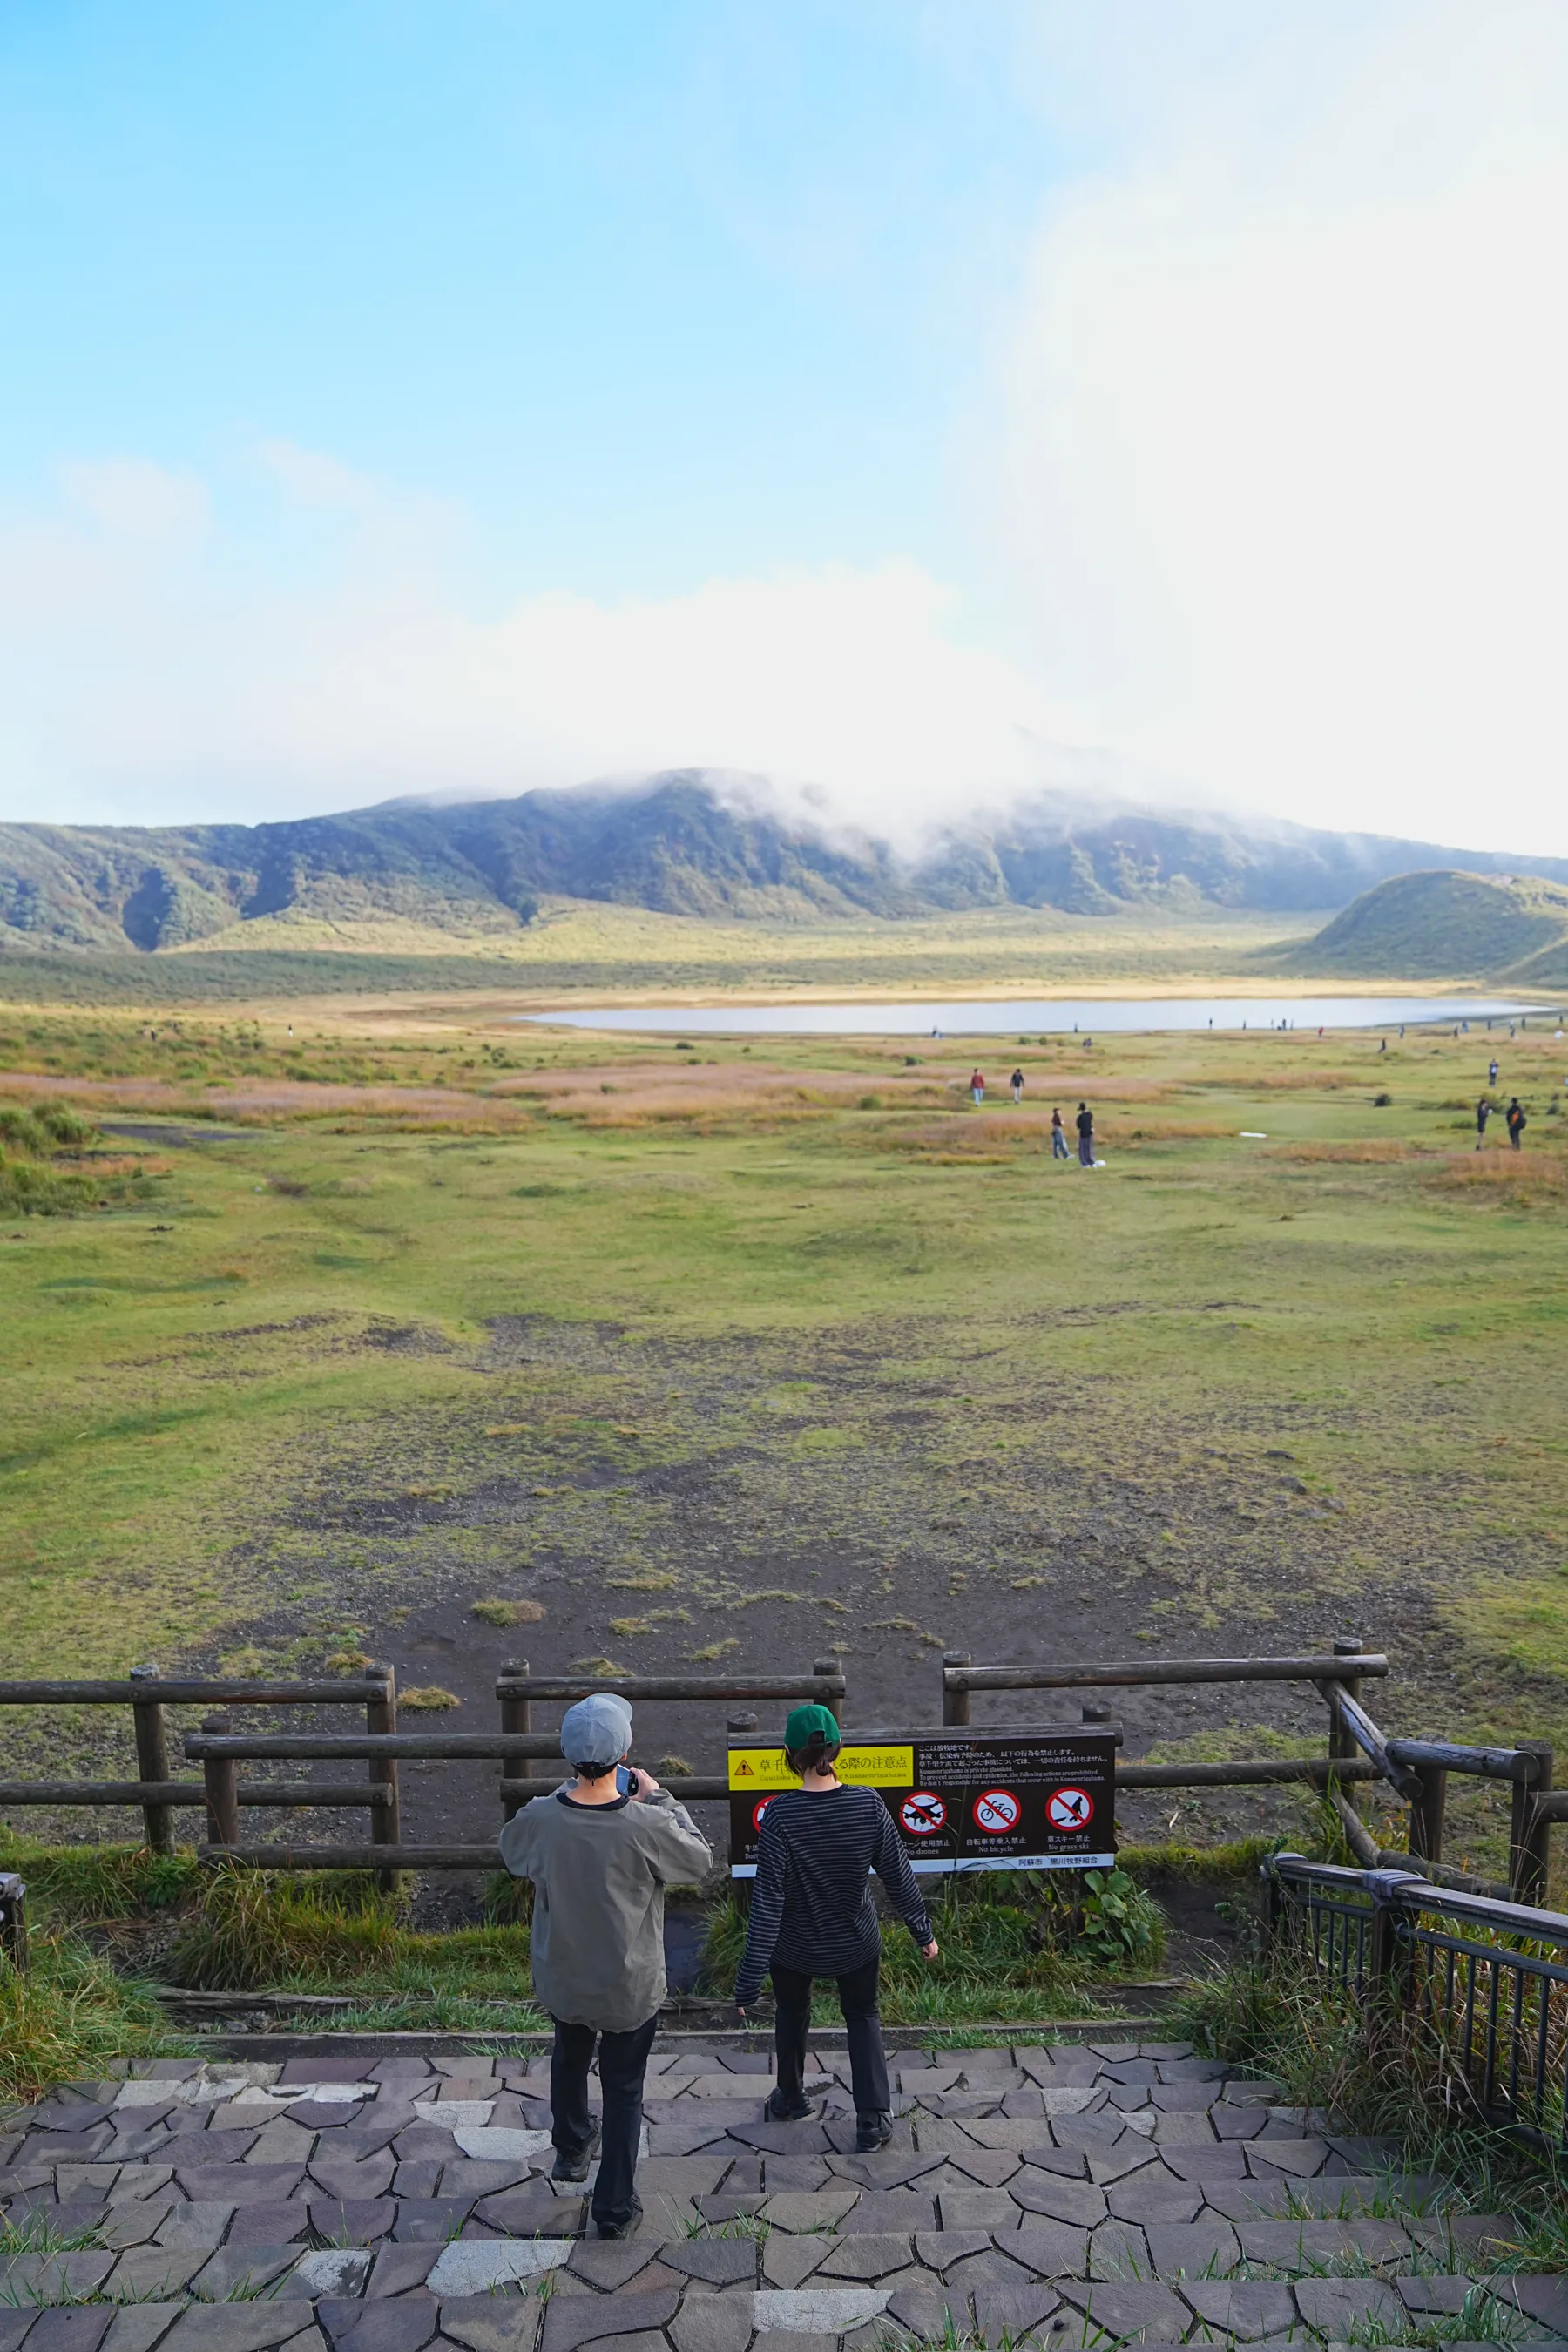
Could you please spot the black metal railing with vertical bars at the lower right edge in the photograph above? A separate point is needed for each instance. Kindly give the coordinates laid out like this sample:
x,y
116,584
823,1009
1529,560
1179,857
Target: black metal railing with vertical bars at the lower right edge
x,y
1480,1986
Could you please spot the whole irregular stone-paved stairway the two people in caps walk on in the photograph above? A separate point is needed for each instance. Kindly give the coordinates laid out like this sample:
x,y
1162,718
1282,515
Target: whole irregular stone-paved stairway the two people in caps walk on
x,y
1059,2196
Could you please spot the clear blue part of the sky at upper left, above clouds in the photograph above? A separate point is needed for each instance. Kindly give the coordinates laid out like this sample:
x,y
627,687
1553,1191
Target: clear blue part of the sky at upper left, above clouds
x,y
631,283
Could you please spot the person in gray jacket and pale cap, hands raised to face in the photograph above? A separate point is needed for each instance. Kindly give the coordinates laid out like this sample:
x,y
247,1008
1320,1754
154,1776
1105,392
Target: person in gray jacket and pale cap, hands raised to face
x,y
601,1852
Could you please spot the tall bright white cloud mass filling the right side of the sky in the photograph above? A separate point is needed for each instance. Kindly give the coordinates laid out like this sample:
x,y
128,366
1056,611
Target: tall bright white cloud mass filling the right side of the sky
x,y
1282,465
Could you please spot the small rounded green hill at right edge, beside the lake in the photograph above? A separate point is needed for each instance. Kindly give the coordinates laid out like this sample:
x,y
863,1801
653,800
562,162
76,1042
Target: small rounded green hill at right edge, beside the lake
x,y
1449,928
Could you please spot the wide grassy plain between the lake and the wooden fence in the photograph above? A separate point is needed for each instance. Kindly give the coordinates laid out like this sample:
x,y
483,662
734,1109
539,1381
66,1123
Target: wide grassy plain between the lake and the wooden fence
x,y
760,1354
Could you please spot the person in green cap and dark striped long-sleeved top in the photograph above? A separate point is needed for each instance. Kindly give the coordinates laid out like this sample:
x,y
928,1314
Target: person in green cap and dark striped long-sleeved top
x,y
812,1916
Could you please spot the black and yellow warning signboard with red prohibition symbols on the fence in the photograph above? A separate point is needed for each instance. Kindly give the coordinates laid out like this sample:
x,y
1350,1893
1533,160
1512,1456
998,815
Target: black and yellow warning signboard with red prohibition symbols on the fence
x,y
960,1800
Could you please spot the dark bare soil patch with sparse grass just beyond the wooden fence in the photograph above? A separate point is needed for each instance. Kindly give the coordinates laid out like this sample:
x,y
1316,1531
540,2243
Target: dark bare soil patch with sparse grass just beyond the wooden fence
x,y
880,1497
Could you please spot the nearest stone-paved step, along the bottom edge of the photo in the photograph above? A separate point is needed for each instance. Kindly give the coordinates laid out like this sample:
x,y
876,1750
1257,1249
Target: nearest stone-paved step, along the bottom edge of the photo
x,y
699,2297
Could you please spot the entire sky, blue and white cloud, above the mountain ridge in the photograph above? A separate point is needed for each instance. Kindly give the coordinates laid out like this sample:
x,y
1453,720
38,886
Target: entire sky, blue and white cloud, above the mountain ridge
x,y
481,394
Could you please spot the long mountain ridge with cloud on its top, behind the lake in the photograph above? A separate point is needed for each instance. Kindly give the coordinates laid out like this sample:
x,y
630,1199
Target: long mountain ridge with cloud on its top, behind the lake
x,y
683,843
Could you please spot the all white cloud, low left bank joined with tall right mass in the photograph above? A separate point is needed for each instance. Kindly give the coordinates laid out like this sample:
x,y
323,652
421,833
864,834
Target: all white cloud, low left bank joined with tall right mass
x,y
1271,495
